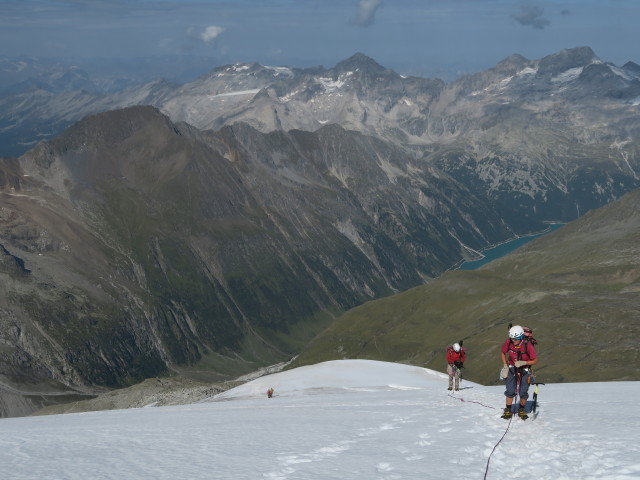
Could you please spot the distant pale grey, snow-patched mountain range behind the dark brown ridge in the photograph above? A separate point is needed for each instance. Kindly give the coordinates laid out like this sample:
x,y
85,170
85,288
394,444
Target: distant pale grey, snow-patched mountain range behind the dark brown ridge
x,y
545,139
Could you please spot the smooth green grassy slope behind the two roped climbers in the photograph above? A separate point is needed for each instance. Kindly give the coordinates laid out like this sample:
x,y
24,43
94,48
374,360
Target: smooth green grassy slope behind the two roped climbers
x,y
577,288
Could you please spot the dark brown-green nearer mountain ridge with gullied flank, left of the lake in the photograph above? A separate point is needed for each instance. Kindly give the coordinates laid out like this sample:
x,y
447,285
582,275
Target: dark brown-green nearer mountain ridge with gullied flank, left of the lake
x,y
131,245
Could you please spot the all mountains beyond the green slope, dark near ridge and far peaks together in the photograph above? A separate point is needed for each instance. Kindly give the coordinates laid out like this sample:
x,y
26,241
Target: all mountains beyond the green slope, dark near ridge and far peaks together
x,y
215,227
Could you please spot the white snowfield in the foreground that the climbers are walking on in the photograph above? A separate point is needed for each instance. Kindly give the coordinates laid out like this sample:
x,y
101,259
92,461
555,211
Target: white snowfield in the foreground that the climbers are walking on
x,y
346,420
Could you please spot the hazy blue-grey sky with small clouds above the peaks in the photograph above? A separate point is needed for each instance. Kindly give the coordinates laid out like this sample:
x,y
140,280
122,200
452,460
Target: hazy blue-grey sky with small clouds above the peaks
x,y
418,37
